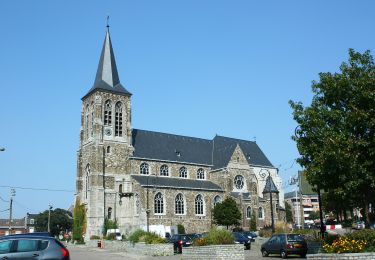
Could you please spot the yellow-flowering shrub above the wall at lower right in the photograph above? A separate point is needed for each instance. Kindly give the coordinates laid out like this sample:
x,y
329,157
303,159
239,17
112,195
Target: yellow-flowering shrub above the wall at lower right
x,y
345,245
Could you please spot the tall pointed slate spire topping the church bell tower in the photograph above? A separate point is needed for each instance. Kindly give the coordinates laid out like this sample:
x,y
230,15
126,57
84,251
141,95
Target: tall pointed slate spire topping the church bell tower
x,y
107,78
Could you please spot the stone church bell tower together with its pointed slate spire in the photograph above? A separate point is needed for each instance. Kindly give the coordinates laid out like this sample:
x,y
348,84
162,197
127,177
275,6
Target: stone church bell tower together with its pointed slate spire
x,y
105,142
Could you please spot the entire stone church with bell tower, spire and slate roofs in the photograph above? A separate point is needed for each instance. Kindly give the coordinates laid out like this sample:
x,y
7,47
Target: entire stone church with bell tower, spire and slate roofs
x,y
142,178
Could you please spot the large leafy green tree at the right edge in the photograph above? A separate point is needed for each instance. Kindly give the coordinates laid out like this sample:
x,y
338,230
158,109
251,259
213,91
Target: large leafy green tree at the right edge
x,y
335,137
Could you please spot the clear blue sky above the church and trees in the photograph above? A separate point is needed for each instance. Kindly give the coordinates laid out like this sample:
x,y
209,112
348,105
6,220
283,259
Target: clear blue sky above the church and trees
x,y
195,68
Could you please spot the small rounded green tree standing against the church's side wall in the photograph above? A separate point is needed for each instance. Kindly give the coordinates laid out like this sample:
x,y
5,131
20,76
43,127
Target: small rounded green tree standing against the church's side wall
x,y
227,213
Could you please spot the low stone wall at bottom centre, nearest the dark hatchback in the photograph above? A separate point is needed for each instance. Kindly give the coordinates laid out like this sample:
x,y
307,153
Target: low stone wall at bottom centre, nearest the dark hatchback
x,y
222,252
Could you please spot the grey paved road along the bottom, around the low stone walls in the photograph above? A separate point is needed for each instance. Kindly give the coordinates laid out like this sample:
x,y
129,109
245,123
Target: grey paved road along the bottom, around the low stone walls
x,y
83,253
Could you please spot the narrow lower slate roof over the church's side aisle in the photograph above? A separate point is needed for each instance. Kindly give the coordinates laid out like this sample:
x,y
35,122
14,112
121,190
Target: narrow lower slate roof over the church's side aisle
x,y
176,183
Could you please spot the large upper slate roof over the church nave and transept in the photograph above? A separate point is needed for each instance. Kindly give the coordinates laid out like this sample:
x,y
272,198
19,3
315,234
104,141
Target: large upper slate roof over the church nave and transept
x,y
215,153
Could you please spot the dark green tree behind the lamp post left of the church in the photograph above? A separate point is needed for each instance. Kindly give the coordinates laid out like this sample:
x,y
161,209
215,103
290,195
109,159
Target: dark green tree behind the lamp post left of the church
x,y
60,221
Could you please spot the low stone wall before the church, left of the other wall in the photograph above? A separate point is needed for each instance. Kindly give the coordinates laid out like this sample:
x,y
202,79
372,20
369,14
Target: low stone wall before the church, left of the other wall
x,y
126,246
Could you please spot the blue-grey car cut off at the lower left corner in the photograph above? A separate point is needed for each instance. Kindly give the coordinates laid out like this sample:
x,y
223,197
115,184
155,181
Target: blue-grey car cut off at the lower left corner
x,y
28,246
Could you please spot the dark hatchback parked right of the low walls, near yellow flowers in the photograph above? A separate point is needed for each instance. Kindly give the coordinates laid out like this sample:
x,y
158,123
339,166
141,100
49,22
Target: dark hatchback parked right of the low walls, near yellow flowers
x,y
285,244
